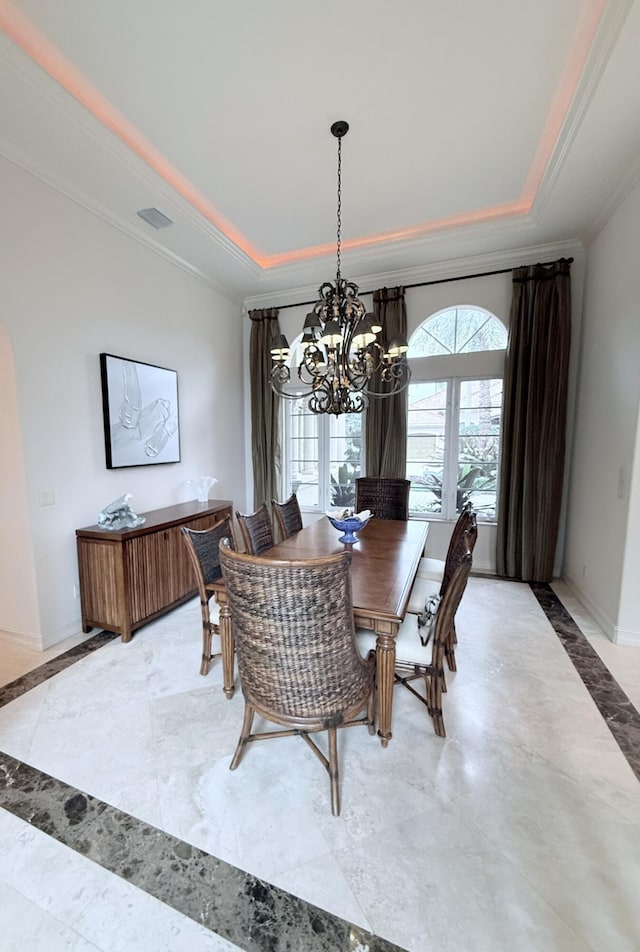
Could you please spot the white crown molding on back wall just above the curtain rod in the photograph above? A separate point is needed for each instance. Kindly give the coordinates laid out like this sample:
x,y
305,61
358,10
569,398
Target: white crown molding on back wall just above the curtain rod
x,y
435,271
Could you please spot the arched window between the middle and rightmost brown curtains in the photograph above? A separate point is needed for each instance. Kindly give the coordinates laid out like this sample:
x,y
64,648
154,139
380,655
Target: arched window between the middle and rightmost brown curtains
x,y
455,412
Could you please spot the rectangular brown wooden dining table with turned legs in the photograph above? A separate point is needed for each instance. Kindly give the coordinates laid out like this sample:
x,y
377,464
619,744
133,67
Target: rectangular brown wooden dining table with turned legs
x,y
384,562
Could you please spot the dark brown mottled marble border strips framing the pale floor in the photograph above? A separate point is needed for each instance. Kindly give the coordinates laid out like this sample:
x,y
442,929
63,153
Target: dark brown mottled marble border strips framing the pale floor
x,y
251,913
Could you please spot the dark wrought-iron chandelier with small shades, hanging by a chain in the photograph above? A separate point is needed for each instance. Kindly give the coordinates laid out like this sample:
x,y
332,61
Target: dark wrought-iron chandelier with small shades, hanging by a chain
x,y
342,360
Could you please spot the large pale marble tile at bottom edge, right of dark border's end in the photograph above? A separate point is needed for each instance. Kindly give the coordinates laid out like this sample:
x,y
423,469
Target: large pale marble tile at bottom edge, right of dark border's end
x,y
436,882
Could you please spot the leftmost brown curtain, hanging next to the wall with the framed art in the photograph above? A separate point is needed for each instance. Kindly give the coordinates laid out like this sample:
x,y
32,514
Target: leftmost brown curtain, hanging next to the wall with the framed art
x,y
265,435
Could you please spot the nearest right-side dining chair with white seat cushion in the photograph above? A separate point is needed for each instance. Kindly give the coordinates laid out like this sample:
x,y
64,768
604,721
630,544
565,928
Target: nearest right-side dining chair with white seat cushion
x,y
416,661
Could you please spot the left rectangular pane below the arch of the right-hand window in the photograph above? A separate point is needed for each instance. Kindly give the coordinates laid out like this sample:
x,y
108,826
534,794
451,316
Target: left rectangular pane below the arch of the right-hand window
x,y
426,422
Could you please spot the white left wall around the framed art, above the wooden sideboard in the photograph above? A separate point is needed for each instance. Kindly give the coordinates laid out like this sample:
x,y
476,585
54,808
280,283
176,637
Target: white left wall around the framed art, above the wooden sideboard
x,y
72,287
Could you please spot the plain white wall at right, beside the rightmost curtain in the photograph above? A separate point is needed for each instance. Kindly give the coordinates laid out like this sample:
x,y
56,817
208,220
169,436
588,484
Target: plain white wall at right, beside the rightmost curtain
x,y
601,526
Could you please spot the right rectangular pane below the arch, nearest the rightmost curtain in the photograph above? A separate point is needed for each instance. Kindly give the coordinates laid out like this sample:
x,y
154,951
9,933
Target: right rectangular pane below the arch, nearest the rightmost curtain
x,y
478,444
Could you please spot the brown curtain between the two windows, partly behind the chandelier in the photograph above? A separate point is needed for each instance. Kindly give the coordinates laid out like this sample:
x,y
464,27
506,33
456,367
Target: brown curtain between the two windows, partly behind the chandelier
x,y
386,424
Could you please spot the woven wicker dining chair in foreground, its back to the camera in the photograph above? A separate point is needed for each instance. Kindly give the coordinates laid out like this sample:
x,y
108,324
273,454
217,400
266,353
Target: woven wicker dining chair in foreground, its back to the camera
x,y
295,647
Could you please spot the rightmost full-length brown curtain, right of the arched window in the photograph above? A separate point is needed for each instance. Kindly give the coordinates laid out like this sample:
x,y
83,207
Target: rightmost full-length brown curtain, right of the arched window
x,y
534,421
